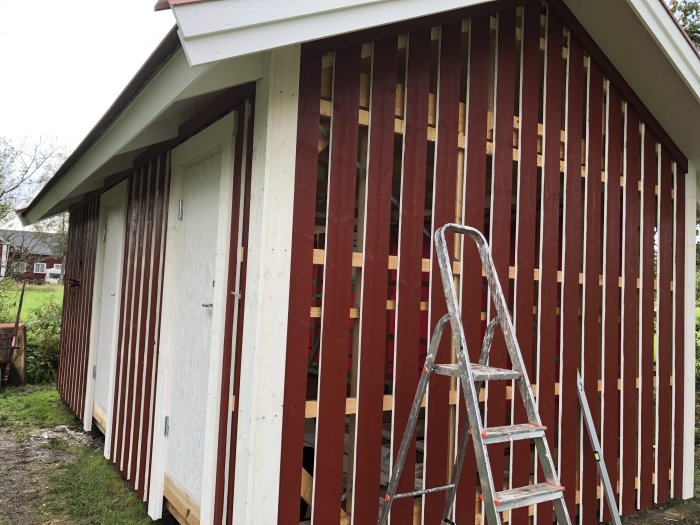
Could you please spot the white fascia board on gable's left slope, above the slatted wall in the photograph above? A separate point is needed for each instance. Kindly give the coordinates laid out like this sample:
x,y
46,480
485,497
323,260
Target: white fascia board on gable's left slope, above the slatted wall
x,y
222,29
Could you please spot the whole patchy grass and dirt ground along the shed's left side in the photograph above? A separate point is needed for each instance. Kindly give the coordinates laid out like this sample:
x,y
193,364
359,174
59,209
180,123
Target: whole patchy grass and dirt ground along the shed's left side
x,y
55,473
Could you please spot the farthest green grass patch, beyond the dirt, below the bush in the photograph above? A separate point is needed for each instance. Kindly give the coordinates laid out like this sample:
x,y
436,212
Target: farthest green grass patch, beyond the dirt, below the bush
x,y
23,409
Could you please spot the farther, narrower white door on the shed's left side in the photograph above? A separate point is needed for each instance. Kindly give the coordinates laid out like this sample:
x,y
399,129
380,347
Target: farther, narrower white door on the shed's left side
x,y
105,317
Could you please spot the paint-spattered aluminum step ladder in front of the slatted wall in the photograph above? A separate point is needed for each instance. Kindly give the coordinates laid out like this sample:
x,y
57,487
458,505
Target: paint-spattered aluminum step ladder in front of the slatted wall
x,y
471,377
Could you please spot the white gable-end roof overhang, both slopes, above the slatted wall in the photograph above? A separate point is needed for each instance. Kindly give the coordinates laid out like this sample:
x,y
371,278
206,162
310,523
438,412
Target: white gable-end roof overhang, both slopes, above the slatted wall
x,y
640,37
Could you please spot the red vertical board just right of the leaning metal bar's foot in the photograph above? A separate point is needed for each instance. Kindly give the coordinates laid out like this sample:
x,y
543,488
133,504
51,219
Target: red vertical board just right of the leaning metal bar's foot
x,y
630,312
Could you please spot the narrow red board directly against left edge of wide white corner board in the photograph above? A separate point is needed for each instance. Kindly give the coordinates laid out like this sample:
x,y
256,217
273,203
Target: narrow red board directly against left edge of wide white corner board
x,y
241,307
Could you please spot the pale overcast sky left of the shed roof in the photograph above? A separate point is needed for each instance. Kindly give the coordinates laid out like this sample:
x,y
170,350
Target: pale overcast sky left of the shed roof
x,y
65,61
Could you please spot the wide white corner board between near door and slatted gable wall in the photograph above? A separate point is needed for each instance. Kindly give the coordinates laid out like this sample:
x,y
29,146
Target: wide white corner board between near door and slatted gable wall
x,y
259,437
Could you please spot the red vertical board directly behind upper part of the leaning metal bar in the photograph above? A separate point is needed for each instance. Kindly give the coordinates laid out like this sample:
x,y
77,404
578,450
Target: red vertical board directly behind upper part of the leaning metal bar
x,y
591,284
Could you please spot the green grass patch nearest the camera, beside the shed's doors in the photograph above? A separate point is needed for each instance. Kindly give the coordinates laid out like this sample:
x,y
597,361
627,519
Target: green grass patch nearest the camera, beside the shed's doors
x,y
90,491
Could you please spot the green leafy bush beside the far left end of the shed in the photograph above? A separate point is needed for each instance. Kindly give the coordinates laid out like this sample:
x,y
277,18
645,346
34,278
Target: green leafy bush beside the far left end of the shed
x,y
43,335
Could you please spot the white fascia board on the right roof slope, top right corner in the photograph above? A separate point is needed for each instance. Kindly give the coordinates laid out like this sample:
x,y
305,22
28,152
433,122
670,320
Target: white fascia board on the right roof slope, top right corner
x,y
665,31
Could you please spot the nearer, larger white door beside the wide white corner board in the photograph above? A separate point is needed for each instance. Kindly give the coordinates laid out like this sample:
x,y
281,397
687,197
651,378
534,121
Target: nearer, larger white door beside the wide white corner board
x,y
193,306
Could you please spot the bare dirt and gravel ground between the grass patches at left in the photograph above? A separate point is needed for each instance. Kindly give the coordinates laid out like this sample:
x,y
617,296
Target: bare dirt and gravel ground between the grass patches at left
x,y
26,463
